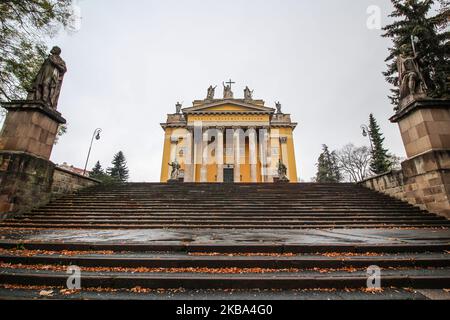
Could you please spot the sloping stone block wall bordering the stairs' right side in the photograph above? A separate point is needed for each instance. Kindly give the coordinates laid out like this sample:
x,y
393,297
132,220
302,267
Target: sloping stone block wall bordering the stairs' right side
x,y
424,181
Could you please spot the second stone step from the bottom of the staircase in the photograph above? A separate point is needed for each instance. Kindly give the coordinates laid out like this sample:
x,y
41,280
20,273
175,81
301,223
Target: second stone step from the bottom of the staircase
x,y
403,278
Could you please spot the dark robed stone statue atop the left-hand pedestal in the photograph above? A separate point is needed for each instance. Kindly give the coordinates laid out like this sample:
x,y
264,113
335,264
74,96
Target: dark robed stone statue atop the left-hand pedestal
x,y
48,82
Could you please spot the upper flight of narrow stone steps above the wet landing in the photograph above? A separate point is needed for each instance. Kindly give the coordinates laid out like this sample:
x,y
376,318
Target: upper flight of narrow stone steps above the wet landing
x,y
229,206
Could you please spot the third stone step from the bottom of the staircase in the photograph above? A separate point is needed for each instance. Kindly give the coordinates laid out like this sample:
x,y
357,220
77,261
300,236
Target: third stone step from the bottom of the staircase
x,y
170,260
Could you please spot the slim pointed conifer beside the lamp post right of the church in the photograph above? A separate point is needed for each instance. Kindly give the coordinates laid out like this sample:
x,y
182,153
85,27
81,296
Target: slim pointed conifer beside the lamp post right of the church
x,y
380,162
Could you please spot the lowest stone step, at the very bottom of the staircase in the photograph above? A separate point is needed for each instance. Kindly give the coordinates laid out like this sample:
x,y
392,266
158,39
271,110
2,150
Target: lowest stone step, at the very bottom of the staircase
x,y
30,293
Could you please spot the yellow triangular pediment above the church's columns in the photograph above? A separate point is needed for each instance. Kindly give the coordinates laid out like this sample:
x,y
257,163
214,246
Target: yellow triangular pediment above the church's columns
x,y
225,106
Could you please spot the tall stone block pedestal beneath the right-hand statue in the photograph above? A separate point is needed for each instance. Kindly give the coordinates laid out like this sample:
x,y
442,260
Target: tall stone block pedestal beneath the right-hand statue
x,y
425,130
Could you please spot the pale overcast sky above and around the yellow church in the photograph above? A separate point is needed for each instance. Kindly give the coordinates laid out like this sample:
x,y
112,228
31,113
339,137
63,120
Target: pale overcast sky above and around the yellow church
x,y
131,61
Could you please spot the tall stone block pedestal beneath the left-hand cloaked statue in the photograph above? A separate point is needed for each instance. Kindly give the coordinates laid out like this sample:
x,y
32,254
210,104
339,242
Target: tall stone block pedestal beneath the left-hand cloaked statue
x,y
26,143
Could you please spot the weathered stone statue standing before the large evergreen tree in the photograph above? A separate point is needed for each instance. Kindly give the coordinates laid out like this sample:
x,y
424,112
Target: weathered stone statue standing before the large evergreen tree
x,y
411,81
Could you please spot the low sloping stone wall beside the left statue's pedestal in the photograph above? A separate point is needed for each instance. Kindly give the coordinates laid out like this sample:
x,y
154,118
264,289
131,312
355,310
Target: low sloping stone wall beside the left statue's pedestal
x,y
65,181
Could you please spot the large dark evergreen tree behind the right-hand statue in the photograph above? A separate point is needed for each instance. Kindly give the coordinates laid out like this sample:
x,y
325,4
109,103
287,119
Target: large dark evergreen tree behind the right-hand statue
x,y
412,18
